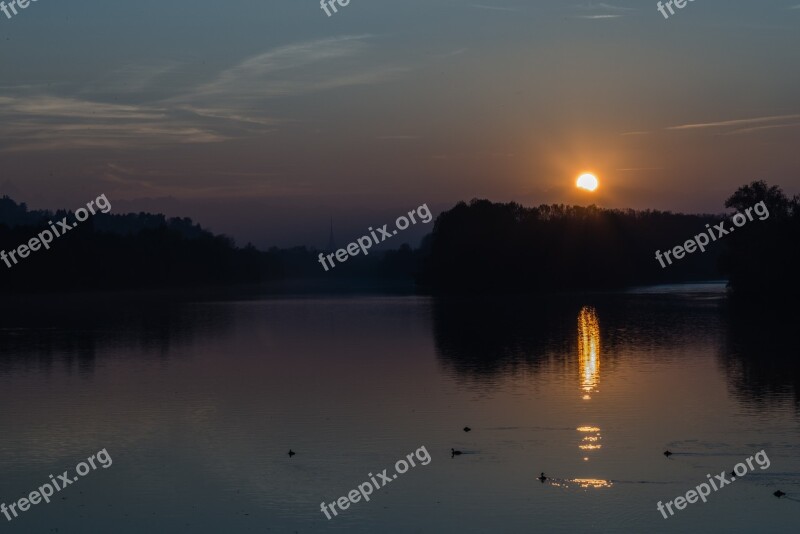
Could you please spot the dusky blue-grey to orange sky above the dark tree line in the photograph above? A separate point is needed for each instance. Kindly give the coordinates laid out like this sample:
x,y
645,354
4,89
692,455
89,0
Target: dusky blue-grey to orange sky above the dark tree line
x,y
265,119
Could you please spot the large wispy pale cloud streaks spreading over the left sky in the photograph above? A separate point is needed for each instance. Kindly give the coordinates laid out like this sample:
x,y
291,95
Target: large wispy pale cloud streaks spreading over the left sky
x,y
233,104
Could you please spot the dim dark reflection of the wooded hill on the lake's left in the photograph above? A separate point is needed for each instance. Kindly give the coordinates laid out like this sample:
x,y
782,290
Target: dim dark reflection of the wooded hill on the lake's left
x,y
75,329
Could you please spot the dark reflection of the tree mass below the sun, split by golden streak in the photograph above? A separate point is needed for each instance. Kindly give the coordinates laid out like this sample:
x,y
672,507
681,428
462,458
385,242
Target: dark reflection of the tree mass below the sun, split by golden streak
x,y
483,339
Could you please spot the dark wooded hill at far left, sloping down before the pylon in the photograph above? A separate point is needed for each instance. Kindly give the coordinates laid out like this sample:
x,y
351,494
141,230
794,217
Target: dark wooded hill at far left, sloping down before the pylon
x,y
123,251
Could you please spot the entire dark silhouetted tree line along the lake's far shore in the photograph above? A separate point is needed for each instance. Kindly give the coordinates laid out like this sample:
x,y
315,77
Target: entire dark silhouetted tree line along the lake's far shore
x,y
475,247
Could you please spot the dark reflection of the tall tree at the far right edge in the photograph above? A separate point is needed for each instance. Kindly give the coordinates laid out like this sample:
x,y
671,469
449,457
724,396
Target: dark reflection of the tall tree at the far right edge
x,y
760,358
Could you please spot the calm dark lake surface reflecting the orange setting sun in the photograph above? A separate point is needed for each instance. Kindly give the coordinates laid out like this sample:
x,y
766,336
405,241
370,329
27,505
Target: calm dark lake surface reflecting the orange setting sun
x,y
198,403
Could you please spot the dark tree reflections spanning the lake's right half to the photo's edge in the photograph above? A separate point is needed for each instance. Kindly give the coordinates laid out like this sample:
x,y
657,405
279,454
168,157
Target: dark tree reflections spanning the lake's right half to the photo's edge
x,y
486,339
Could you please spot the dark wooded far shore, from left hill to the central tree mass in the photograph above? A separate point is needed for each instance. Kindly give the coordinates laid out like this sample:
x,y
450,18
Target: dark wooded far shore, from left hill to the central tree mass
x,y
144,250
